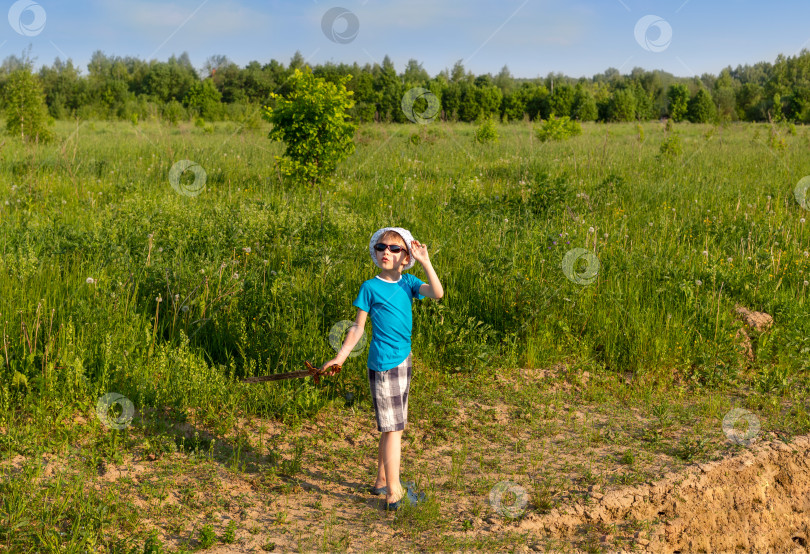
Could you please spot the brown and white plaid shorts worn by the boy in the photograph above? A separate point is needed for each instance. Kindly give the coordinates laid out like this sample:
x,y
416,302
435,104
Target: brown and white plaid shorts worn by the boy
x,y
389,394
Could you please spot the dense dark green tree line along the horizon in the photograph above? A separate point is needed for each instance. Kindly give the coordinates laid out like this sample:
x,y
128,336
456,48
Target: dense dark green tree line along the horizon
x,y
129,88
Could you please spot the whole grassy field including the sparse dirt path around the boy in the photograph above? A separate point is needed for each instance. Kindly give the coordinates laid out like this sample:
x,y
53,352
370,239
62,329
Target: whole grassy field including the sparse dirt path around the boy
x,y
113,281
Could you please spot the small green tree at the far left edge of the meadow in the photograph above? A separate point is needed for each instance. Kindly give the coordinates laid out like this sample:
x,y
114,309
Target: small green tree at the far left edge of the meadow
x,y
26,112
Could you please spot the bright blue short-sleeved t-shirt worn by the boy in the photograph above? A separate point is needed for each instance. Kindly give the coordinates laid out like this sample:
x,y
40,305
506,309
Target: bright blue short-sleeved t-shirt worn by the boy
x,y
389,305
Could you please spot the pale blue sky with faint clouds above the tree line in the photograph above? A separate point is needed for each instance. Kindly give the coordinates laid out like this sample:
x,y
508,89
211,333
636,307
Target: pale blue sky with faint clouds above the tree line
x,y
531,37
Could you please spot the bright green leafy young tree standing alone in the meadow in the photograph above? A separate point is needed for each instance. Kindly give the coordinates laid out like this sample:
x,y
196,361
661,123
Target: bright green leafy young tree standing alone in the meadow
x,y
312,122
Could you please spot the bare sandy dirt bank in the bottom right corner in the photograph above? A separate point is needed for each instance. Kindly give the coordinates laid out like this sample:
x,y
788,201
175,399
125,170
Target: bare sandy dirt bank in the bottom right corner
x,y
755,502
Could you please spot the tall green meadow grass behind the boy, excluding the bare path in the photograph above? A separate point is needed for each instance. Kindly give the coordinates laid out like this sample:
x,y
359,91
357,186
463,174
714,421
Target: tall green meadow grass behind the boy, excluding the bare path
x,y
191,293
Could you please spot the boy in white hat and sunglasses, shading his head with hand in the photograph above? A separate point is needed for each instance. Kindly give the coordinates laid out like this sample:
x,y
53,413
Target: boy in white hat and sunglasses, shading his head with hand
x,y
388,298
